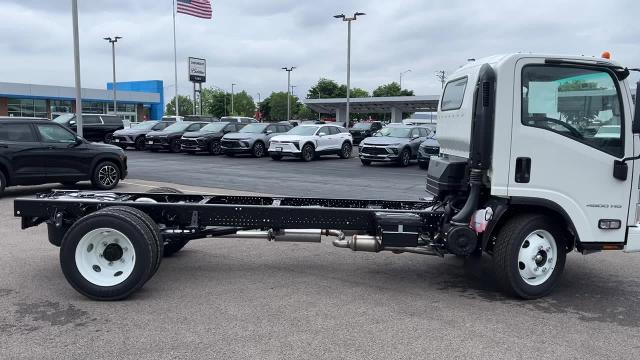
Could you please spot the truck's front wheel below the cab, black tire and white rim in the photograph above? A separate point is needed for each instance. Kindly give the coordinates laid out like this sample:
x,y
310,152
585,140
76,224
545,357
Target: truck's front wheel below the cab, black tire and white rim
x,y
529,256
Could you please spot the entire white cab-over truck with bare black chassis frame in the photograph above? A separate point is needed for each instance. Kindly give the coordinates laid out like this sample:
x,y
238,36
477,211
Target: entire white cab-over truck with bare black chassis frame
x,y
537,159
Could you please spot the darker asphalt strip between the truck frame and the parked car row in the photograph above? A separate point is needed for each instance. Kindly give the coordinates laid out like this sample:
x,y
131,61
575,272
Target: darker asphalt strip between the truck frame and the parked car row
x,y
329,176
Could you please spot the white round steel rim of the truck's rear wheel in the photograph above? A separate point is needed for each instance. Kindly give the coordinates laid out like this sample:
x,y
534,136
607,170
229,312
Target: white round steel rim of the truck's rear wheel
x,y
95,258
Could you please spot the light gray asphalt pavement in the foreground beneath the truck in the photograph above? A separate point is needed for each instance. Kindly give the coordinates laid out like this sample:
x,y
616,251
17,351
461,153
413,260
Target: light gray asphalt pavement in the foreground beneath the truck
x,y
239,299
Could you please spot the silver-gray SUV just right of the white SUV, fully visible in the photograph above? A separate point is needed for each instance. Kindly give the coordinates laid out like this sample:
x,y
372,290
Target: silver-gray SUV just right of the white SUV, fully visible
x,y
393,144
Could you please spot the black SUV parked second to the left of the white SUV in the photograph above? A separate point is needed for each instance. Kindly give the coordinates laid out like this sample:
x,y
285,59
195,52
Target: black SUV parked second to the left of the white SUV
x,y
209,137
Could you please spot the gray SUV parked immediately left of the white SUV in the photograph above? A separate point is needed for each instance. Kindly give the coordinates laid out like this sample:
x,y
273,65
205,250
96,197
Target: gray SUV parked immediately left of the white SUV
x,y
252,139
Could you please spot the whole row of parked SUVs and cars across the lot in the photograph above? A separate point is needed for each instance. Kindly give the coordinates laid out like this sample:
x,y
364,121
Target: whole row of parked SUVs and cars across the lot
x,y
236,135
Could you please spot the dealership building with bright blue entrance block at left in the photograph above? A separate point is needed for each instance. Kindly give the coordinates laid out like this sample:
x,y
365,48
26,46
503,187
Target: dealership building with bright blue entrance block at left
x,y
136,100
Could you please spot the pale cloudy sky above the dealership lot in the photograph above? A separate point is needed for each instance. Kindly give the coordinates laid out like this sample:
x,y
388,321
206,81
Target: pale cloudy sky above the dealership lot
x,y
249,41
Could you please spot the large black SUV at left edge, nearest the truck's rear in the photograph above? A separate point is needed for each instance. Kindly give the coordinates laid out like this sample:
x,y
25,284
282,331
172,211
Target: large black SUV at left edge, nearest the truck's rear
x,y
39,151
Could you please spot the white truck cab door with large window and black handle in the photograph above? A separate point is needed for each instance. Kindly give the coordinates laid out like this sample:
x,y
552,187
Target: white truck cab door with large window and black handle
x,y
569,127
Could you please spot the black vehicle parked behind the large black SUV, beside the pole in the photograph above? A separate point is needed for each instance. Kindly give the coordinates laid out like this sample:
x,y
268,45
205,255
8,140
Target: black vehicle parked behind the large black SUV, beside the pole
x,y
95,127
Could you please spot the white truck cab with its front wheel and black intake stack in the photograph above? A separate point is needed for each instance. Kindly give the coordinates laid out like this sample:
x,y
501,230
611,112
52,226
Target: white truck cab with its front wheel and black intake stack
x,y
522,150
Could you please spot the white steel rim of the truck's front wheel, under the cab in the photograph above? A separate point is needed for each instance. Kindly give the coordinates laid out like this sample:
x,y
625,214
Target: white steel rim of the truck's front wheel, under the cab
x,y
537,257
